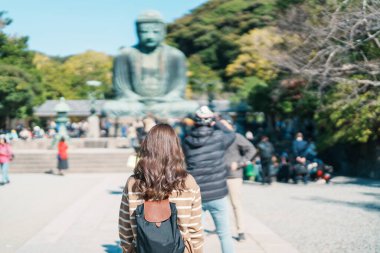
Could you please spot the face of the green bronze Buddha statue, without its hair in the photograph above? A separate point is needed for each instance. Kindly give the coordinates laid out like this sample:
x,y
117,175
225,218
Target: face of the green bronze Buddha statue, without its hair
x,y
151,34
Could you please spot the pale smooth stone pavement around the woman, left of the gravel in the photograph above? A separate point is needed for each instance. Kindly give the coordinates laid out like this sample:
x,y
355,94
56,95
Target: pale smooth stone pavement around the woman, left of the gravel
x,y
78,213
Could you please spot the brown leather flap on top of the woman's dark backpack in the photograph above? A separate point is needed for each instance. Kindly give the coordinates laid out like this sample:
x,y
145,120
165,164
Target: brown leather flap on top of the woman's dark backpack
x,y
157,211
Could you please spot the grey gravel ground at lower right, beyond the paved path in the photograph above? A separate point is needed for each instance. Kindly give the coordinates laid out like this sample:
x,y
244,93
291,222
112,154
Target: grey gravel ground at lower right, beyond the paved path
x,y
343,216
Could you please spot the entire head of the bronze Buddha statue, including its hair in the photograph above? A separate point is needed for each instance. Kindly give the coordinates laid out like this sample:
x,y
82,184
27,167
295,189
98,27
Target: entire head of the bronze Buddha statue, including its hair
x,y
151,29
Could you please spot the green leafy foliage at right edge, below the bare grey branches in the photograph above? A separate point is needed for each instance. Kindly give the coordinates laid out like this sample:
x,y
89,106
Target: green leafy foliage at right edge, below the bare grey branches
x,y
354,120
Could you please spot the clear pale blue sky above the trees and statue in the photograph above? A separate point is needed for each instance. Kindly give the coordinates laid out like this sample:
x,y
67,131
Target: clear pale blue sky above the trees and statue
x,y
64,27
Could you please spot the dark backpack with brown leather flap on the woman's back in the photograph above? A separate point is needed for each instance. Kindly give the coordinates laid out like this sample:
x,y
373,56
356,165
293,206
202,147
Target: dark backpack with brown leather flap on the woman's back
x,y
157,228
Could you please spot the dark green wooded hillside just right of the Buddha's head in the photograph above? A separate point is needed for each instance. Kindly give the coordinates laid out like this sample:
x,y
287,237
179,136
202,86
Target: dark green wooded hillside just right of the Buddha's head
x,y
212,31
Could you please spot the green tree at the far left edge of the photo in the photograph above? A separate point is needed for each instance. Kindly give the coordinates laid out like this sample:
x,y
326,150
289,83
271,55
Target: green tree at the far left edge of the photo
x,y
20,87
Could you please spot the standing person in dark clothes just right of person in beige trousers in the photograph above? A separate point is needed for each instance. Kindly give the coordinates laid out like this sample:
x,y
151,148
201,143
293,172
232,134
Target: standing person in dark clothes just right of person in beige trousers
x,y
266,152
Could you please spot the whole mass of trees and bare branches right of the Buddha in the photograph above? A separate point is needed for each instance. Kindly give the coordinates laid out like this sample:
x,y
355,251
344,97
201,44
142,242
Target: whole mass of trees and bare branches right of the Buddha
x,y
293,58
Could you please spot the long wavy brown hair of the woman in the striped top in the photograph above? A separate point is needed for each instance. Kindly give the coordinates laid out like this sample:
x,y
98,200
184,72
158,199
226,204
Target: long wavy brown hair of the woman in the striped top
x,y
161,166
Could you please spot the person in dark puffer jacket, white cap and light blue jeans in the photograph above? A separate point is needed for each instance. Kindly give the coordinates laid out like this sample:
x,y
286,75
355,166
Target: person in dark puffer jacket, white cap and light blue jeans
x,y
204,150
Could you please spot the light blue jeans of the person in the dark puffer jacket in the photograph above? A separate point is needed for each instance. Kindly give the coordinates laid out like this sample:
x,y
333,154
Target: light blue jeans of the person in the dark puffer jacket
x,y
219,213
